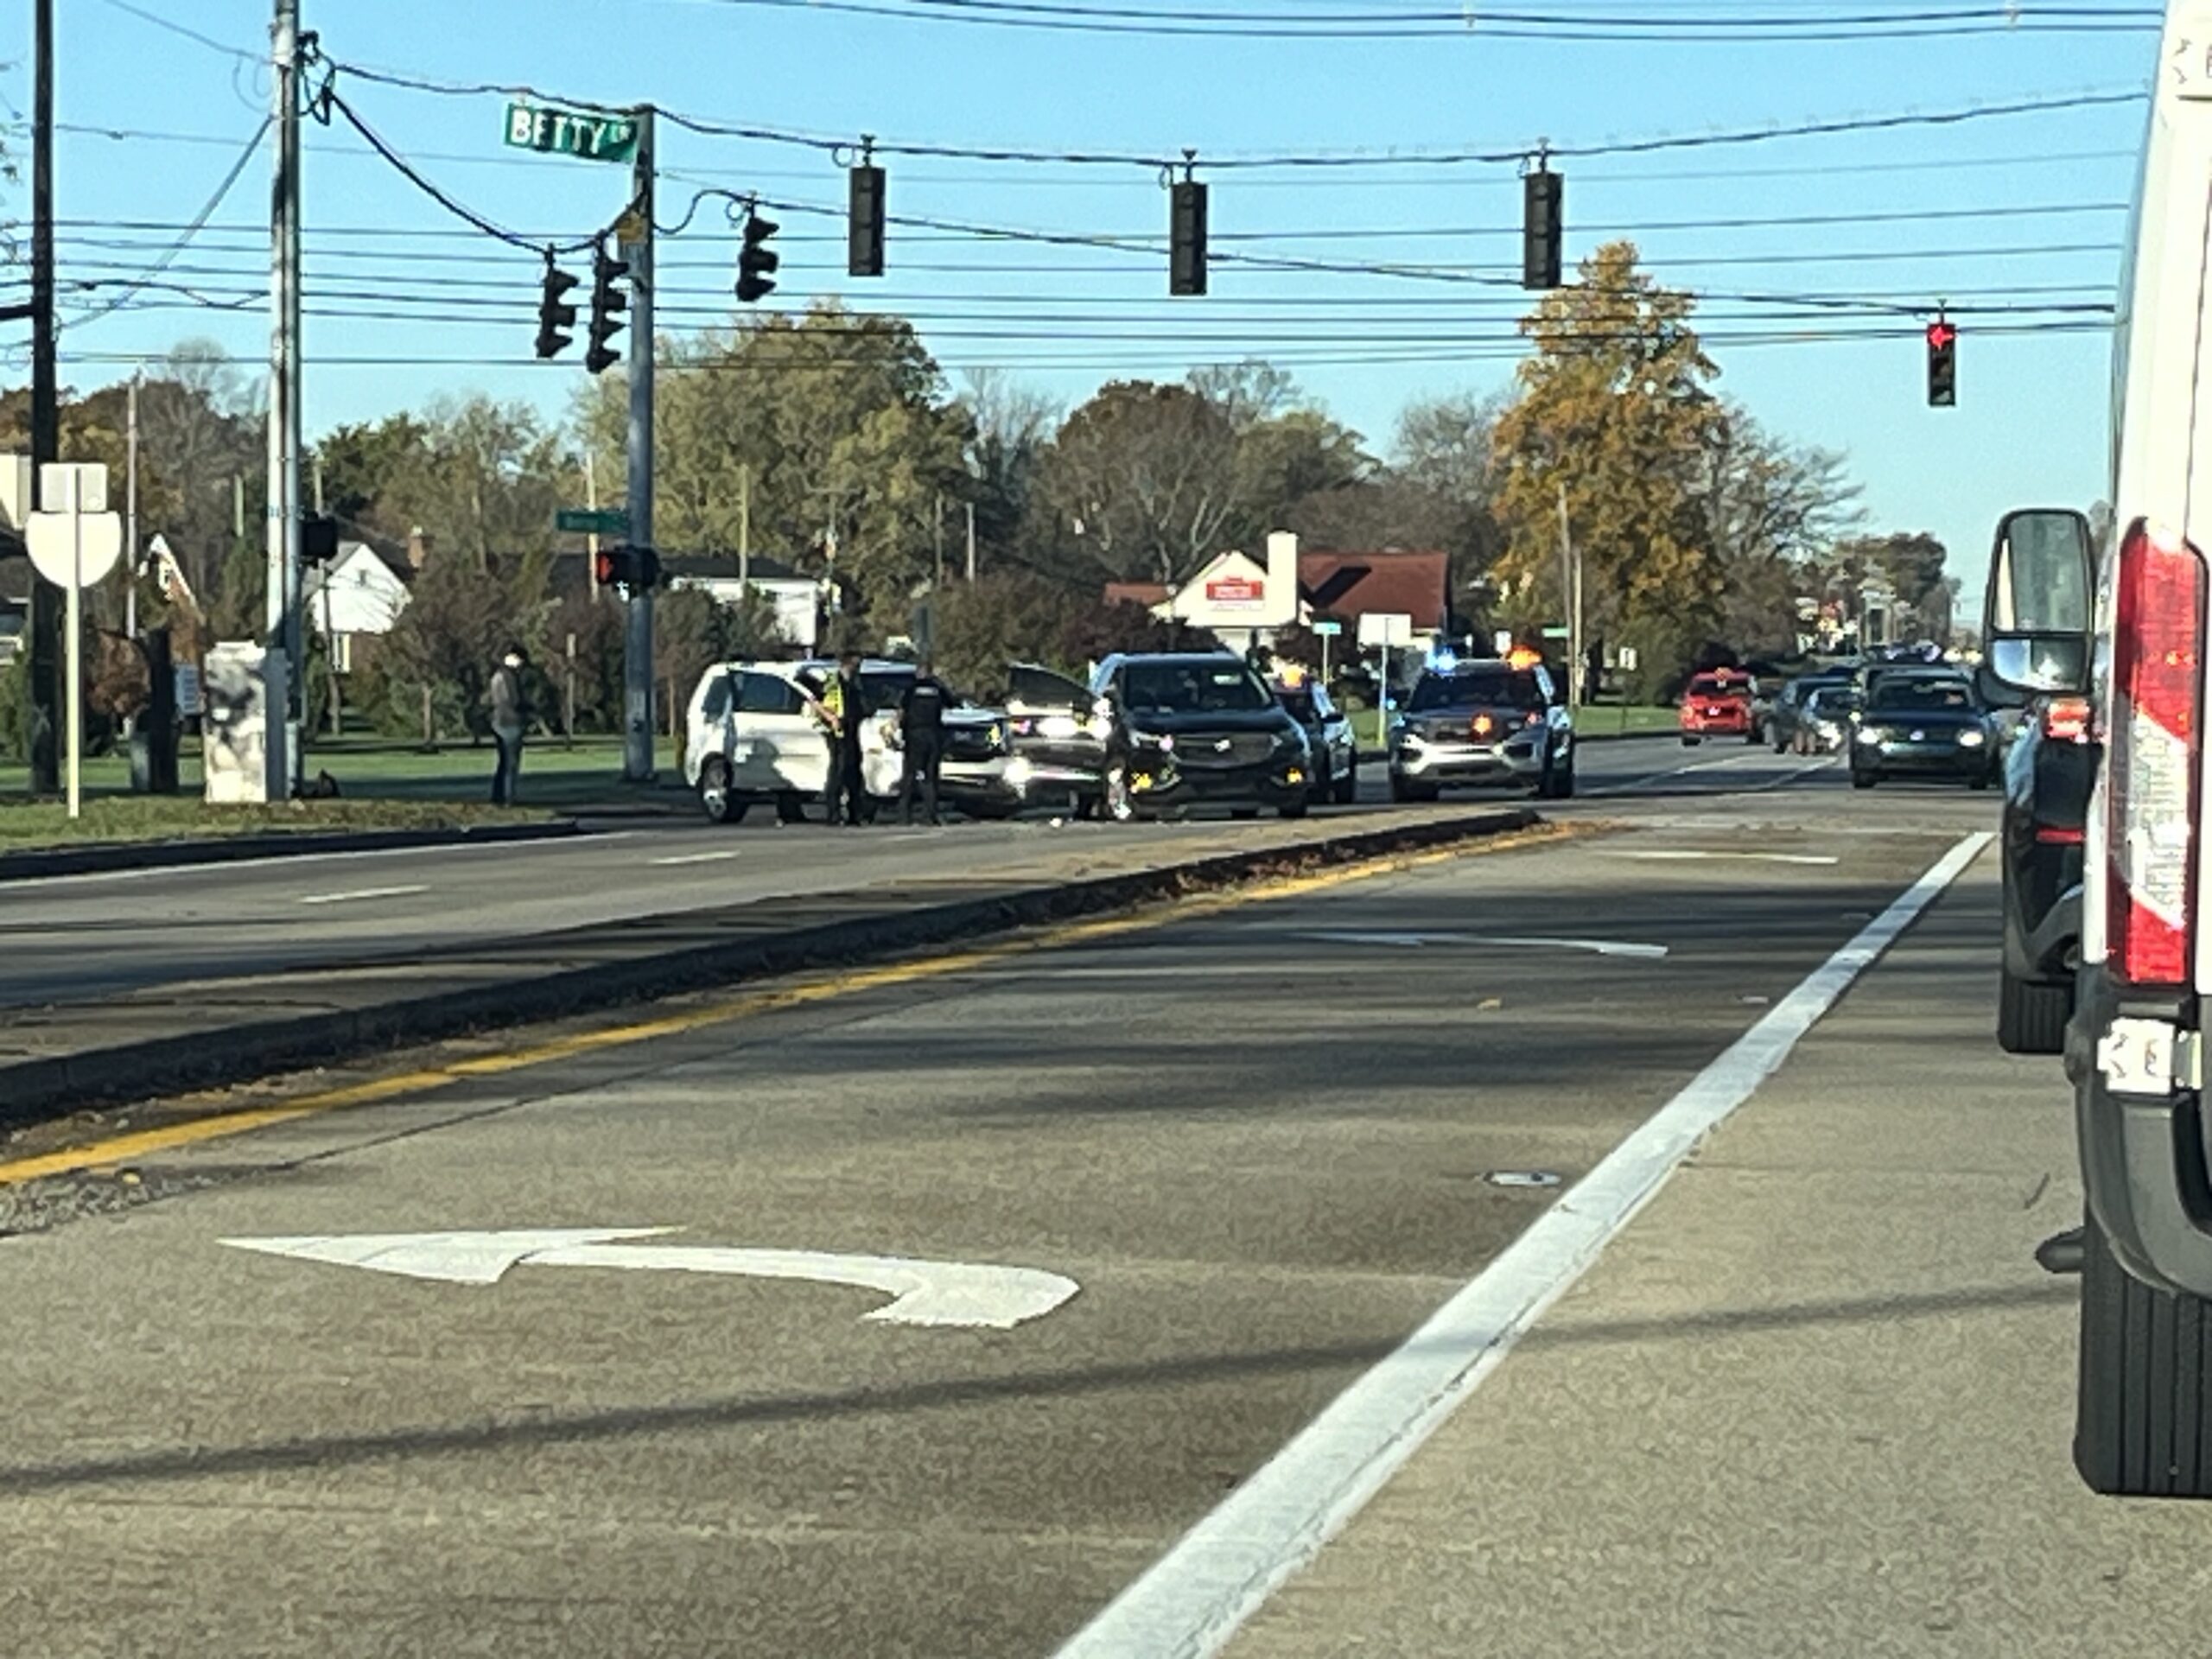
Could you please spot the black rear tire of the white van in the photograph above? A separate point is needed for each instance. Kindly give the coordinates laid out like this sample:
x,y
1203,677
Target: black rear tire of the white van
x,y
2145,1406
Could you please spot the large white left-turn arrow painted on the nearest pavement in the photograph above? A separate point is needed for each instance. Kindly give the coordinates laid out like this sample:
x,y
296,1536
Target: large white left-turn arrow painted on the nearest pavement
x,y
924,1293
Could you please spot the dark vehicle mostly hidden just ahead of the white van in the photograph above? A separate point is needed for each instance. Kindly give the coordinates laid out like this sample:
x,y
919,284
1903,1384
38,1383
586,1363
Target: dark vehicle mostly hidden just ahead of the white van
x,y
2049,775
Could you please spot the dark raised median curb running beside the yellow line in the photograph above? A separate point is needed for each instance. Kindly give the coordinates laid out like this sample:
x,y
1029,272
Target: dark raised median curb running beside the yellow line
x,y
45,1089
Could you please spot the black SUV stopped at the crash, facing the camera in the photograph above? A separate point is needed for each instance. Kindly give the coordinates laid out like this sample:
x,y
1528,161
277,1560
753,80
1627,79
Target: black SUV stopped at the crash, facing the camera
x,y
1198,731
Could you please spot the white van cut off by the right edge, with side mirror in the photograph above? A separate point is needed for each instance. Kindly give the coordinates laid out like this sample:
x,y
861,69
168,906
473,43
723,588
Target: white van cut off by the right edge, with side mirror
x,y
2125,625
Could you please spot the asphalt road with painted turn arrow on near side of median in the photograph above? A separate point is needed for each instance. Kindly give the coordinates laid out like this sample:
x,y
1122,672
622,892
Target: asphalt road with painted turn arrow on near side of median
x,y
1264,1142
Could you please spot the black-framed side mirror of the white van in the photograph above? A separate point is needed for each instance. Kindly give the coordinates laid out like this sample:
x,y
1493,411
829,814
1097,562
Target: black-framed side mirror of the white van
x,y
2041,607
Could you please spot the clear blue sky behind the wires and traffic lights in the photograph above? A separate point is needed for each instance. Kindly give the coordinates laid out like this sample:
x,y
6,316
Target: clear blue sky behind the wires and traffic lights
x,y
2043,194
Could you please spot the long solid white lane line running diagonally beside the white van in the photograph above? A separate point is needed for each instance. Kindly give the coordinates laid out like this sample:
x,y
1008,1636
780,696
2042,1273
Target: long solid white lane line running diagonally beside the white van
x,y
1222,1572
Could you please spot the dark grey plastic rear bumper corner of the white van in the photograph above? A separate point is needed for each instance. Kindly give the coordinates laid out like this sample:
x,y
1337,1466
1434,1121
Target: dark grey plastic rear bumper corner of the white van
x,y
2145,1160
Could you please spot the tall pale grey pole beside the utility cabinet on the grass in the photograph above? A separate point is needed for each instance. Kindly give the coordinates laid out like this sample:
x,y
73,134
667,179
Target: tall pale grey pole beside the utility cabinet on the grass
x,y
282,665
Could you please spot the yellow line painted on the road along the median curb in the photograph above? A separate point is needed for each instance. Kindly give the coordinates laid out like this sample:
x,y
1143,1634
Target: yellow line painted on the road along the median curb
x,y
218,1125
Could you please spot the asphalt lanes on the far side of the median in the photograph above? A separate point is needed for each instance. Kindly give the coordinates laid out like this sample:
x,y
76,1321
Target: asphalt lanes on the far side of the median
x,y
76,939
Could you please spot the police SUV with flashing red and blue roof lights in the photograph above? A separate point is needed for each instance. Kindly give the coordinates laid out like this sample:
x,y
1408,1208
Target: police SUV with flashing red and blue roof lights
x,y
1488,724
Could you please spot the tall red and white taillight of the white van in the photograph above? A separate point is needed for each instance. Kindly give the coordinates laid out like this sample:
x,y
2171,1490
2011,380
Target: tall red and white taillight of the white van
x,y
2156,742
